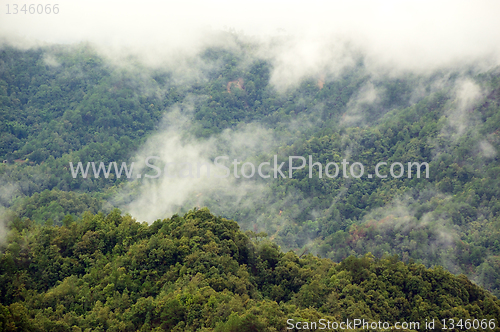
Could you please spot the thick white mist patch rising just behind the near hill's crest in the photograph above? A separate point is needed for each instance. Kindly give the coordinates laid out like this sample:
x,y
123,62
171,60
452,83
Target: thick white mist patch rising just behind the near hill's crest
x,y
186,159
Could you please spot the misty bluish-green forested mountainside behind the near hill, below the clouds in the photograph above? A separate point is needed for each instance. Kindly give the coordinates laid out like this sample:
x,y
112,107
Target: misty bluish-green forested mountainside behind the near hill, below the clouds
x,y
63,104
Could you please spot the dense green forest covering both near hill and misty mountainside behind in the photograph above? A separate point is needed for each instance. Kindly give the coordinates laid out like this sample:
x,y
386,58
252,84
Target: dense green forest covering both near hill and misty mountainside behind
x,y
68,259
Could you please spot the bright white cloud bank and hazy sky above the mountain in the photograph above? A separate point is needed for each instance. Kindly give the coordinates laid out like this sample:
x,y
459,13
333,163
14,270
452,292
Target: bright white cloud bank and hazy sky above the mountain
x,y
409,35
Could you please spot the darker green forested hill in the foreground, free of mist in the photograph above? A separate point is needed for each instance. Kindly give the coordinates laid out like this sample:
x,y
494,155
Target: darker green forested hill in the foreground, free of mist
x,y
201,273
